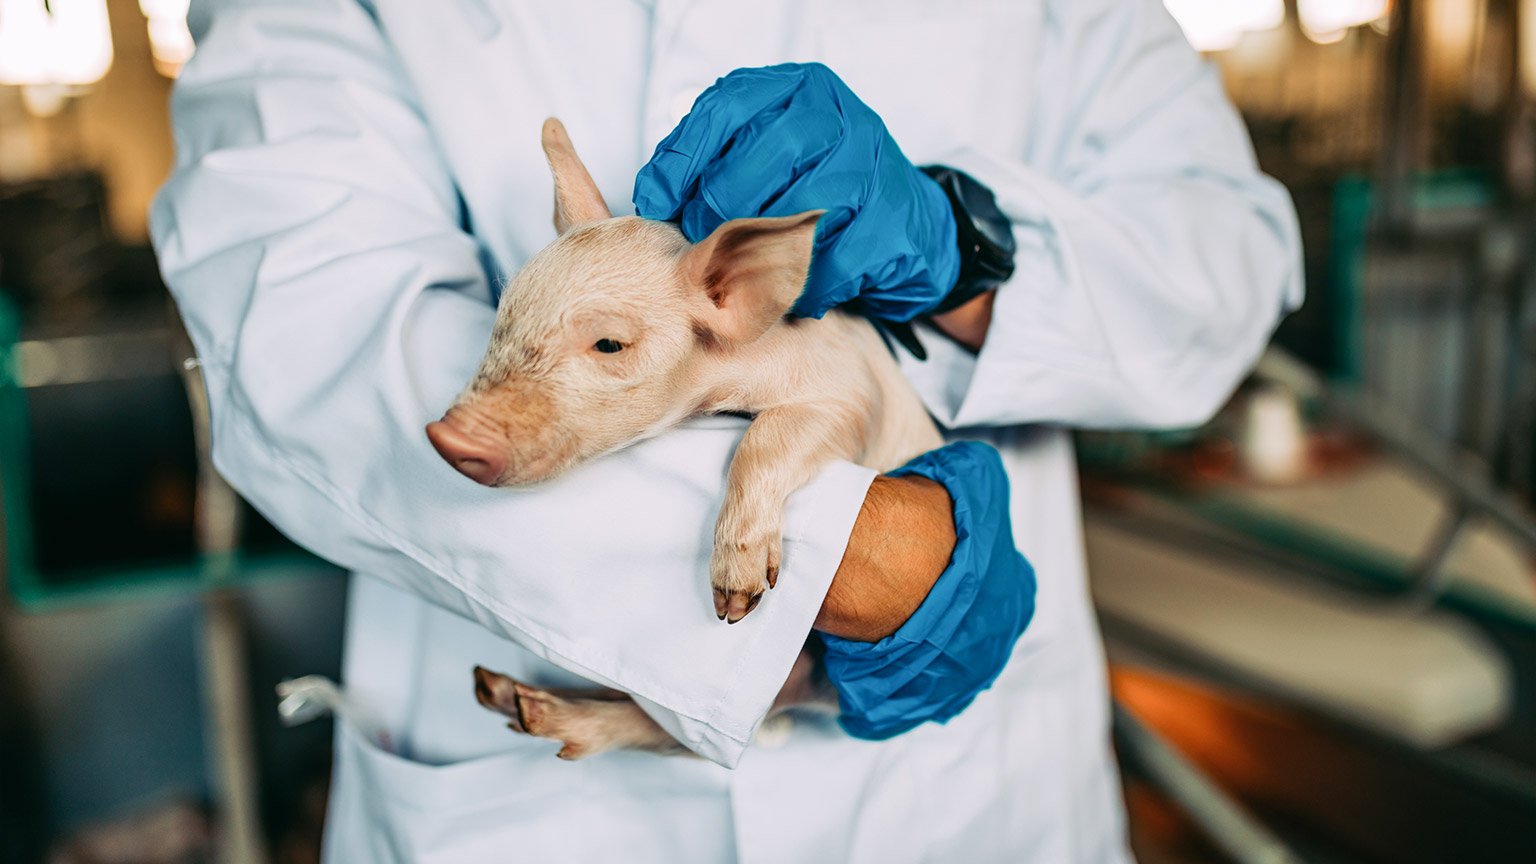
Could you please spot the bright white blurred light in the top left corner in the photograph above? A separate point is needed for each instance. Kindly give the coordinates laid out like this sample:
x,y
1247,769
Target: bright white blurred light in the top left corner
x,y
64,42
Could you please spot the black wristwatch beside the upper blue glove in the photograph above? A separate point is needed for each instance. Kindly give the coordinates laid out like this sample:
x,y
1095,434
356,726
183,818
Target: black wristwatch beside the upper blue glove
x,y
987,248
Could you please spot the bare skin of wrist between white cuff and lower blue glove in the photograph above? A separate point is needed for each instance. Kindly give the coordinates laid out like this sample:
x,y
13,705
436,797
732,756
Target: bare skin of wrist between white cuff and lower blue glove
x,y
899,548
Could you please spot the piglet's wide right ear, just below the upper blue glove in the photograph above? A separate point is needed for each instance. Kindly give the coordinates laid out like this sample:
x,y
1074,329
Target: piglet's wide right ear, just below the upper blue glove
x,y
752,271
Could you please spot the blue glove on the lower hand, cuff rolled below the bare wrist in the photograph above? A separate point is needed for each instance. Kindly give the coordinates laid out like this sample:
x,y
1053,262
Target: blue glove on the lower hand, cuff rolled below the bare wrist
x,y
959,640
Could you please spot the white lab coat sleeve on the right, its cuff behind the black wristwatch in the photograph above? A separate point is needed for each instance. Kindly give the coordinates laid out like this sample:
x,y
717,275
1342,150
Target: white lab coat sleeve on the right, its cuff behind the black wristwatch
x,y
1154,258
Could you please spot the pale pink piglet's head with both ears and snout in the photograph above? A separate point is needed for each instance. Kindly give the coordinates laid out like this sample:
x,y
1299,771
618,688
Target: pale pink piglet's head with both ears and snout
x,y
606,336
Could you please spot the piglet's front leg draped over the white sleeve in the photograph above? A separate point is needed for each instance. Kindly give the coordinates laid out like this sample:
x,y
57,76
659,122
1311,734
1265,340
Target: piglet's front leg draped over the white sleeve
x,y
781,453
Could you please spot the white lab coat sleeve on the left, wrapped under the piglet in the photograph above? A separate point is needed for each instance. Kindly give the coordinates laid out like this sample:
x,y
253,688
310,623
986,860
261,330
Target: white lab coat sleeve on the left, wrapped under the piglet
x,y
313,238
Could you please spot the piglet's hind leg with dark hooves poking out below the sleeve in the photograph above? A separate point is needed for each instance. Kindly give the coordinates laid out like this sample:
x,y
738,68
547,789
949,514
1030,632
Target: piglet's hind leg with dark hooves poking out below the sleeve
x,y
584,722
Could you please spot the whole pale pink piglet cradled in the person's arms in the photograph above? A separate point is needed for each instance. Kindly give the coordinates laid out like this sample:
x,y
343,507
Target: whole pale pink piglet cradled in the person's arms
x,y
620,330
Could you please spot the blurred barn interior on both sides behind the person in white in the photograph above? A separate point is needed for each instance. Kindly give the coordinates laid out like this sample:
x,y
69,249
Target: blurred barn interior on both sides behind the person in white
x,y
1320,608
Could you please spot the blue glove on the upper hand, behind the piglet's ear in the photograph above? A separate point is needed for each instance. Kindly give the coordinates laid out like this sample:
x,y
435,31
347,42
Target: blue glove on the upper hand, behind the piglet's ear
x,y
783,141
